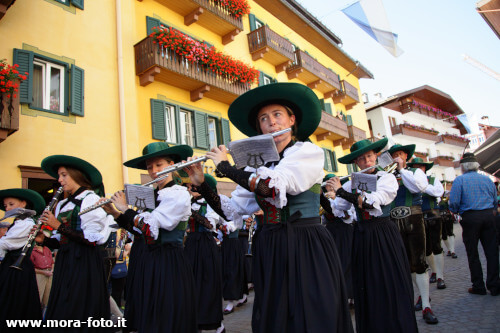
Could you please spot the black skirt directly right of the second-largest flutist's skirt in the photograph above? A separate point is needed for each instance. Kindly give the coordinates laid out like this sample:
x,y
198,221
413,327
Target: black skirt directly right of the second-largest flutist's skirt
x,y
204,257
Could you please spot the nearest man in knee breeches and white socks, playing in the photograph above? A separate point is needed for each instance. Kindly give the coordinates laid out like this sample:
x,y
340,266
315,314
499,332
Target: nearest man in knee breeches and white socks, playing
x,y
406,212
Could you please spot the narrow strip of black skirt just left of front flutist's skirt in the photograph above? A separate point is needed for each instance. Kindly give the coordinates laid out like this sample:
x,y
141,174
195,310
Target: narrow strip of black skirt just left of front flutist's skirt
x,y
233,270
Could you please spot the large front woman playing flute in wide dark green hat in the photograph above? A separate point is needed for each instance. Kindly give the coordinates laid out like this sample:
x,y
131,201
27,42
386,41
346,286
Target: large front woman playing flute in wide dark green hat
x,y
298,281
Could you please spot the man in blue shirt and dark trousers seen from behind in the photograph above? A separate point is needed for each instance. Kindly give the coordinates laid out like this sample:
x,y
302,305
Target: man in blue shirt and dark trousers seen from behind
x,y
474,197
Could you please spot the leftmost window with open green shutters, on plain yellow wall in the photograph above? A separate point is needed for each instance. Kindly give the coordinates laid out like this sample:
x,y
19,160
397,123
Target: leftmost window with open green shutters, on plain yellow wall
x,y
52,85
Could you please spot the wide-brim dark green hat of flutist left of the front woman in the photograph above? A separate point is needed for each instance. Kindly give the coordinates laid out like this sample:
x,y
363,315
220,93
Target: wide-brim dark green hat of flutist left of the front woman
x,y
158,149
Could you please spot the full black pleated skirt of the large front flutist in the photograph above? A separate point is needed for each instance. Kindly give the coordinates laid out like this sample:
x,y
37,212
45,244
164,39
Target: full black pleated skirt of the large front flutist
x,y
298,281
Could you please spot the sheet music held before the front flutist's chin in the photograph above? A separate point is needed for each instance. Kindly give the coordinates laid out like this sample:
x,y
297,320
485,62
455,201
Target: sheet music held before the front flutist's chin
x,y
254,152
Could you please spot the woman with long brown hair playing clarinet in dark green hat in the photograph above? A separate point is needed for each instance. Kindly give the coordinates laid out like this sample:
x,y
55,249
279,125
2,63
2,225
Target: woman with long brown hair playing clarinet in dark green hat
x,y
79,288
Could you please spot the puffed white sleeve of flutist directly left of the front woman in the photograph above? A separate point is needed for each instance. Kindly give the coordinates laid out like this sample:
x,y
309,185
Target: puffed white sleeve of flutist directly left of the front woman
x,y
174,207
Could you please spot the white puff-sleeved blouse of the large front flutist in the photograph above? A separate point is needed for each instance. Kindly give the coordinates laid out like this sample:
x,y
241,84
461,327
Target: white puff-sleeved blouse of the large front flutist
x,y
300,168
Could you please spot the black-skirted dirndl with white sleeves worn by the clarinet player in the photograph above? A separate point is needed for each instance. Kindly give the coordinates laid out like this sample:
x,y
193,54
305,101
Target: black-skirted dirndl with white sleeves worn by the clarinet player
x,y
79,289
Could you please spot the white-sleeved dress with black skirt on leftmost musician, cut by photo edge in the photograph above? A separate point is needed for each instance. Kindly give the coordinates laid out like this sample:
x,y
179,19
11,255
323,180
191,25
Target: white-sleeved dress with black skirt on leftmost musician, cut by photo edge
x,y
19,298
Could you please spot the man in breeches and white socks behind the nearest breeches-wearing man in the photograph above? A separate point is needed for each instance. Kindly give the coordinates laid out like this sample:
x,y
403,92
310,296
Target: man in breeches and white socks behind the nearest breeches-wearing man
x,y
433,222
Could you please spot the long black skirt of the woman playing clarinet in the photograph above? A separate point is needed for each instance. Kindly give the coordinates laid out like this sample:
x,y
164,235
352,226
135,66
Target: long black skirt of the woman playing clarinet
x,y
79,289
